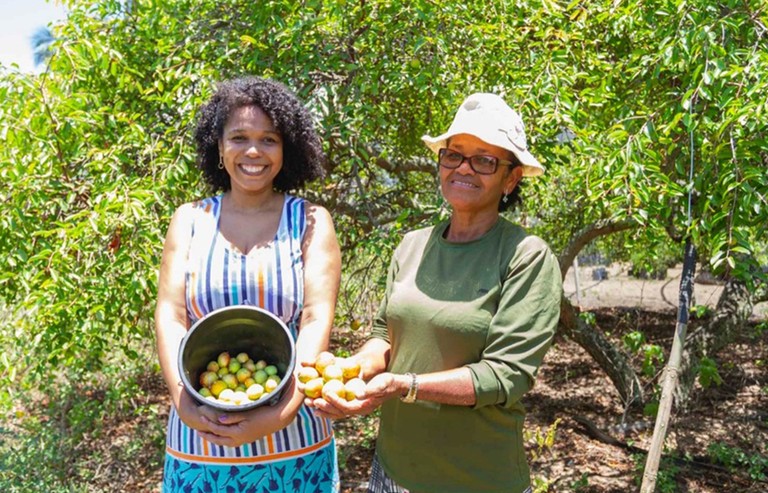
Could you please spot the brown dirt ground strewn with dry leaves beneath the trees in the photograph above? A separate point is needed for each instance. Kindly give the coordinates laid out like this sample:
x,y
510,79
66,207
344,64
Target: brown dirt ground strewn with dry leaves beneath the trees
x,y
599,445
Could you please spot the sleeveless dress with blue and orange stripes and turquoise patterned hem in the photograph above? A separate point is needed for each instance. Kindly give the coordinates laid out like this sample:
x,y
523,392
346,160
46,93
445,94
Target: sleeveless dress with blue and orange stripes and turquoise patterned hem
x,y
302,456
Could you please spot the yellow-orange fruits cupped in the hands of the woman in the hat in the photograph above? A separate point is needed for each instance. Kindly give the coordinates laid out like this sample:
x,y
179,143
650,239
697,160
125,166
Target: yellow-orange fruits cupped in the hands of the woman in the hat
x,y
329,374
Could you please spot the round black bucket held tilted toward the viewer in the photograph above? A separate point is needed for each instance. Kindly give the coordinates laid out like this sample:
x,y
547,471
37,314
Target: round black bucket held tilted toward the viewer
x,y
237,329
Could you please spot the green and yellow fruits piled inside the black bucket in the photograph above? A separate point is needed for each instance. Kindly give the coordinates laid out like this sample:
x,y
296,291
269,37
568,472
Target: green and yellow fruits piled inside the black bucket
x,y
238,380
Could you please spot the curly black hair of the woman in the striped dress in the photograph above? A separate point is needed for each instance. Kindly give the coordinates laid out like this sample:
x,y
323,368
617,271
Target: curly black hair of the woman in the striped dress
x,y
303,156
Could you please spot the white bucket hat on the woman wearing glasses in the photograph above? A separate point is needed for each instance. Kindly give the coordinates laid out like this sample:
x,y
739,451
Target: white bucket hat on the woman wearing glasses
x,y
490,119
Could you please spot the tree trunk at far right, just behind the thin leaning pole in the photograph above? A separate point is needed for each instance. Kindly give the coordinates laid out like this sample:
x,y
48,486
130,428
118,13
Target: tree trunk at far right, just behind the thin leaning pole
x,y
731,314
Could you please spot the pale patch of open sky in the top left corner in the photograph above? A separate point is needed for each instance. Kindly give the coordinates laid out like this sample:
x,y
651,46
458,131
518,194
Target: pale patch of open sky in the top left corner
x,y
19,19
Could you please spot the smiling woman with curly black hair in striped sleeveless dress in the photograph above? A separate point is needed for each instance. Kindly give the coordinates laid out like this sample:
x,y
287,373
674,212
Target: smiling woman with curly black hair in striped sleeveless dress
x,y
250,243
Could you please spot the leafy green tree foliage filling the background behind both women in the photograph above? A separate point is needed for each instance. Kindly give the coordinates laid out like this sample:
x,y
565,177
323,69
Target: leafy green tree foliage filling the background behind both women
x,y
98,154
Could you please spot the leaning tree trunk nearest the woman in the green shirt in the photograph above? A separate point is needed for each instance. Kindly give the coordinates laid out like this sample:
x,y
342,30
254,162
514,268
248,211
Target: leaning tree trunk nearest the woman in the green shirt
x,y
611,360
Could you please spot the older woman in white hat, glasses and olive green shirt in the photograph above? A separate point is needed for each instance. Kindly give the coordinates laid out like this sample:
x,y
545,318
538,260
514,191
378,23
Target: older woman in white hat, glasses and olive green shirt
x,y
470,309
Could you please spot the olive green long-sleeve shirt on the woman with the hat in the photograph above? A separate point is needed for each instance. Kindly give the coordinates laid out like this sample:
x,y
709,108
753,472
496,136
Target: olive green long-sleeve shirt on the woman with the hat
x,y
491,305
